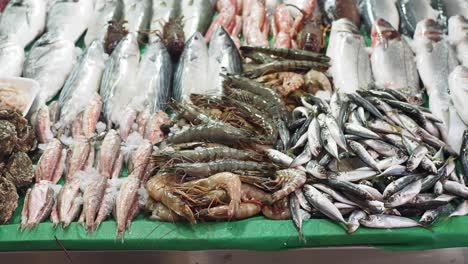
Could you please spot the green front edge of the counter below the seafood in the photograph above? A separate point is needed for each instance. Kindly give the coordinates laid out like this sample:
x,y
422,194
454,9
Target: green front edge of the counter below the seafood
x,y
251,234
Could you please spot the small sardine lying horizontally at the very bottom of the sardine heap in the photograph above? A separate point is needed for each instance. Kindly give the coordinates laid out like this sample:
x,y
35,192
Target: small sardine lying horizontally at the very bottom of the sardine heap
x,y
387,221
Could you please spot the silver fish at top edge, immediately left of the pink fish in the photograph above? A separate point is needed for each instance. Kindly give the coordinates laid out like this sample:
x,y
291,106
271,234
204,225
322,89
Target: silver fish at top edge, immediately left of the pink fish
x,y
197,14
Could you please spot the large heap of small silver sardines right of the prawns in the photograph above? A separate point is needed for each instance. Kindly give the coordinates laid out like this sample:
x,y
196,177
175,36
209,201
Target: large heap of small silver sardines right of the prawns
x,y
371,155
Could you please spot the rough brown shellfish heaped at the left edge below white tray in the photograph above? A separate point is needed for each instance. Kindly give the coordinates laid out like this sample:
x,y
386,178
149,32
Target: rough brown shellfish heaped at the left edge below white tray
x,y
17,140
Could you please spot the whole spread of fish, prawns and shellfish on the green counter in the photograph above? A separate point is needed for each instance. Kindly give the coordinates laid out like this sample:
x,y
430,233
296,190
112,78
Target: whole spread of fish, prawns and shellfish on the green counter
x,y
207,111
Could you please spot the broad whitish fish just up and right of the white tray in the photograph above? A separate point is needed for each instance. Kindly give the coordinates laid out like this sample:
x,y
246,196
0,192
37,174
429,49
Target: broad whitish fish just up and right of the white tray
x,y
50,62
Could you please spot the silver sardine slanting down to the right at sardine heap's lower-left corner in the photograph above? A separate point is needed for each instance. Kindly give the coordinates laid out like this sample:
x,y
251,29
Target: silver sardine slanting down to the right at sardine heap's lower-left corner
x,y
319,202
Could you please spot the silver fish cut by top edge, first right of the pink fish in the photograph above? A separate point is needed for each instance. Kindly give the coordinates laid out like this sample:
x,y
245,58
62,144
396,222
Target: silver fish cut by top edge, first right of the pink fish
x,y
371,10
